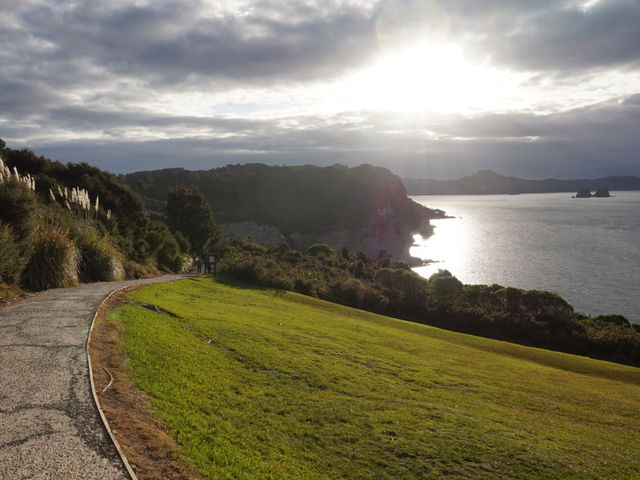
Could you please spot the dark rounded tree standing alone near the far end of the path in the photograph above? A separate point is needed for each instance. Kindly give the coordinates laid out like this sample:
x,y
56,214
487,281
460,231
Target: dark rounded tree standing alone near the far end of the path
x,y
189,213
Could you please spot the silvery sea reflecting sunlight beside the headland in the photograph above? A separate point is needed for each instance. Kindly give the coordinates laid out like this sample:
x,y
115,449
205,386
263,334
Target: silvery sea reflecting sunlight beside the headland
x,y
586,250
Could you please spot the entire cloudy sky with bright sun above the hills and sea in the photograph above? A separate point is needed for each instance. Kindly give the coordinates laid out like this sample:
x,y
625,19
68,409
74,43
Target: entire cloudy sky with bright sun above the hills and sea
x,y
428,89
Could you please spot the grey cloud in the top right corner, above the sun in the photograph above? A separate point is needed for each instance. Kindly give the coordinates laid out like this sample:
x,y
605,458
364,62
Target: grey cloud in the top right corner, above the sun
x,y
564,37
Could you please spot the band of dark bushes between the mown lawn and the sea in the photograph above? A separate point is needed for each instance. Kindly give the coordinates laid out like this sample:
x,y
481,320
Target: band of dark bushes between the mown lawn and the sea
x,y
380,285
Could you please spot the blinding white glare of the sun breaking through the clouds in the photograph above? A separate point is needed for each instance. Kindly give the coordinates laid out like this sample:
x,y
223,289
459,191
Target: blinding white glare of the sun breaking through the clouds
x,y
430,77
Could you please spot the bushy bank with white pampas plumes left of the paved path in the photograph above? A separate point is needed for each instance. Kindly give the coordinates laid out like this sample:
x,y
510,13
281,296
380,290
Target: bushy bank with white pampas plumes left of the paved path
x,y
64,224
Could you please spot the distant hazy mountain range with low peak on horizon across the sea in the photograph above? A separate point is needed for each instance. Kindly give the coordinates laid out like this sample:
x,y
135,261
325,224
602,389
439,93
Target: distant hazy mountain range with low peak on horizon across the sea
x,y
487,182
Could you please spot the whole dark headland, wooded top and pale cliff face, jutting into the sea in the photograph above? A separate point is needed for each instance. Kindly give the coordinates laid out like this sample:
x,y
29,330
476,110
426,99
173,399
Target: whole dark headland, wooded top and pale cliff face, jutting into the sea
x,y
363,208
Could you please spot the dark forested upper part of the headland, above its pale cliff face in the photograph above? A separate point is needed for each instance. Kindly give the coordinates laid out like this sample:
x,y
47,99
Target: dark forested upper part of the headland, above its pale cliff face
x,y
292,198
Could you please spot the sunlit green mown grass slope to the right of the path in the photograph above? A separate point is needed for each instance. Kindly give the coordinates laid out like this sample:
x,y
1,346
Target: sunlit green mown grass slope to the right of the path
x,y
257,384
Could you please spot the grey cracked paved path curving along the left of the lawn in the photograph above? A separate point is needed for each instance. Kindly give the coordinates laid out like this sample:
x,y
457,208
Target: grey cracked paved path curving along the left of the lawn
x,y
49,425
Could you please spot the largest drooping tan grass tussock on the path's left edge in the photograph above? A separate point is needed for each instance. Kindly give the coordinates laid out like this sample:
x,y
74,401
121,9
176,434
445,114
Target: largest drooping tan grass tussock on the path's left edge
x,y
54,262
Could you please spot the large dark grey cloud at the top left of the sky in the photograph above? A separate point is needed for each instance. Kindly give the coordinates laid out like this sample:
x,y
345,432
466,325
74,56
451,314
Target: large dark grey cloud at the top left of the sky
x,y
176,42
